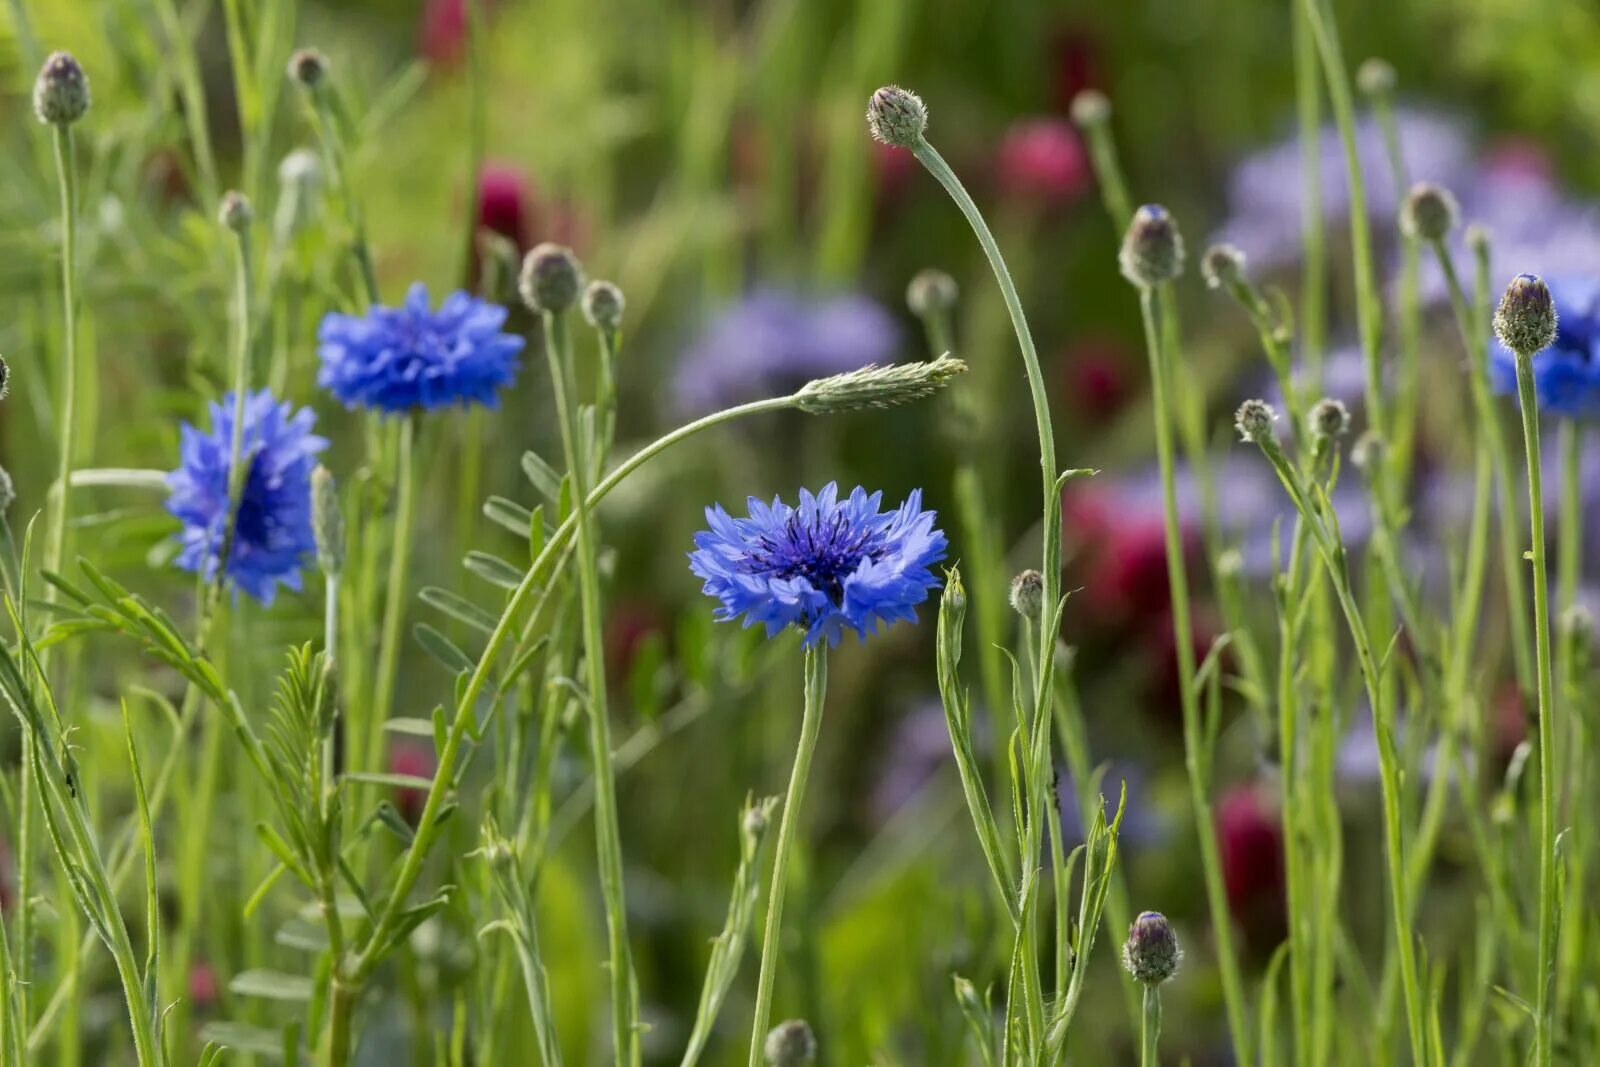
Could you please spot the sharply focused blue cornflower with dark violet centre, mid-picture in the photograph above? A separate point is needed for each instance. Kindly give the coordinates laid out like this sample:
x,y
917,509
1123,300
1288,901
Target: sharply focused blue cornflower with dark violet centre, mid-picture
x,y
823,567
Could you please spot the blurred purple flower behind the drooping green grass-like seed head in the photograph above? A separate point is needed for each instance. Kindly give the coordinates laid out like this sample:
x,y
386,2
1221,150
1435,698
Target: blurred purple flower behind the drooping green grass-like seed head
x,y
775,342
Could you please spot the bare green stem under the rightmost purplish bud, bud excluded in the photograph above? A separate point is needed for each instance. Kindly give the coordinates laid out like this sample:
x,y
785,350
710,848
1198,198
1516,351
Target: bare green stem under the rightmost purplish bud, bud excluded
x,y
1542,636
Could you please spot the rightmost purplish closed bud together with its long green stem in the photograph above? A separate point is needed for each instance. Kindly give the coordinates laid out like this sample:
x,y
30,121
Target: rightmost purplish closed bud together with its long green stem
x,y
1526,324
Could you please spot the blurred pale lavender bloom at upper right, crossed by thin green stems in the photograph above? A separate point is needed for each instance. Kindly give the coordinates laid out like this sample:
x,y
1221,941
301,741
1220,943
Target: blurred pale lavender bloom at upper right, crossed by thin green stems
x,y
1266,191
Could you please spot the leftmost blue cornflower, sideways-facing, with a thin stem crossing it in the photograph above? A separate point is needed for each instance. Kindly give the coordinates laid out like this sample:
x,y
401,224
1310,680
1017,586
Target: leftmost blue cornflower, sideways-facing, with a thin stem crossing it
x,y
274,533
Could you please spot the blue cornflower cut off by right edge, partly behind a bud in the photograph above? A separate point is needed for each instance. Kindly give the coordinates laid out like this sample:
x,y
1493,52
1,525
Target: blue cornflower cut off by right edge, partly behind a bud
x,y
1567,375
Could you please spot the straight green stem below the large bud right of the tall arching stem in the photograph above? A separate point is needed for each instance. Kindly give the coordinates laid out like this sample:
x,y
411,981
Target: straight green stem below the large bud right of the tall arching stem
x,y
1196,757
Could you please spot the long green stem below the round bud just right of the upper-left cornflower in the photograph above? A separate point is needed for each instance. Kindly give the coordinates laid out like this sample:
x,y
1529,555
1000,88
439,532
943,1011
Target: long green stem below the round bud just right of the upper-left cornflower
x,y
609,836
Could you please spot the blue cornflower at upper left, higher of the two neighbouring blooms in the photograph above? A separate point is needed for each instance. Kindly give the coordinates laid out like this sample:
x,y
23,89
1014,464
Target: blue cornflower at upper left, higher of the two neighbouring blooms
x,y
399,359
